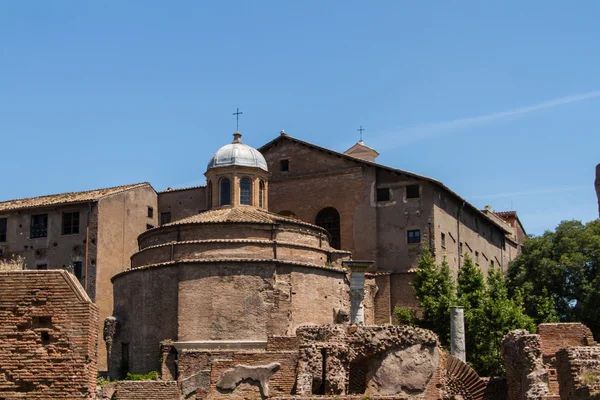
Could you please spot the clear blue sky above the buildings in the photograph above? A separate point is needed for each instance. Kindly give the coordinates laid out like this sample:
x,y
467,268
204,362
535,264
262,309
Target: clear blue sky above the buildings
x,y
498,101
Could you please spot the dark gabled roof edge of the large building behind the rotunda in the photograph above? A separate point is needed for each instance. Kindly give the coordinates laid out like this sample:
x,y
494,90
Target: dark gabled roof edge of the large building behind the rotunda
x,y
385,167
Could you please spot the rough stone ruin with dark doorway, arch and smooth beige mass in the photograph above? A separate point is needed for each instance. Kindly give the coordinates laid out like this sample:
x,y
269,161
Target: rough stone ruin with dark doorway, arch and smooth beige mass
x,y
399,359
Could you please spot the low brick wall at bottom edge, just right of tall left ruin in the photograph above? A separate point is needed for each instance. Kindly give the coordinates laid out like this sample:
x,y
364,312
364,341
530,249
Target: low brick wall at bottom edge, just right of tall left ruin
x,y
141,390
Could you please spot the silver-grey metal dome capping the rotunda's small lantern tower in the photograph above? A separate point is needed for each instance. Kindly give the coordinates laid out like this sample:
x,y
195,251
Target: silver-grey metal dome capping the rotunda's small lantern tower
x,y
237,153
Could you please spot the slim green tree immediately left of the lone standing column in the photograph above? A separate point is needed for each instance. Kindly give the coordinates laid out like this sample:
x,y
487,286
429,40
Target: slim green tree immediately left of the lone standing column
x,y
435,291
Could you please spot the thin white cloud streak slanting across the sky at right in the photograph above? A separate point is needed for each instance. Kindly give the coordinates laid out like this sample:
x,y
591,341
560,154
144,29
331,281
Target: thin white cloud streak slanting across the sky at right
x,y
437,129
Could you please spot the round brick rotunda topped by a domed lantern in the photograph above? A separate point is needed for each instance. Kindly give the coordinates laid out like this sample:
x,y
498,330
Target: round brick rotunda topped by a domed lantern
x,y
226,278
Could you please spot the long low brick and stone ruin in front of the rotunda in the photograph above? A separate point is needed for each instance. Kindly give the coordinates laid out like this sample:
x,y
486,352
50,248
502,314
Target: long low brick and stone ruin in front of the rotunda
x,y
335,361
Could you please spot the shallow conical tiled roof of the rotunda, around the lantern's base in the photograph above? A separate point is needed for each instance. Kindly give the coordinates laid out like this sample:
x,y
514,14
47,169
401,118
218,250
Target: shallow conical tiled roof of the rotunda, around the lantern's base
x,y
238,214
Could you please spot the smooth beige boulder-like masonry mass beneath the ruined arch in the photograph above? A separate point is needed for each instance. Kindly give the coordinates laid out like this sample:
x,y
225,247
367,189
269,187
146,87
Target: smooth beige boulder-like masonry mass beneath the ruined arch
x,y
403,371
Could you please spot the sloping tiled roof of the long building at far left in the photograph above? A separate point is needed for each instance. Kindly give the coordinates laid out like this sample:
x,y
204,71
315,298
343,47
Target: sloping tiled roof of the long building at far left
x,y
66,198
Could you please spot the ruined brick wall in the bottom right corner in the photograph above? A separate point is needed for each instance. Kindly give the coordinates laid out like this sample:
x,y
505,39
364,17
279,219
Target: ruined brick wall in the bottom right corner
x,y
579,373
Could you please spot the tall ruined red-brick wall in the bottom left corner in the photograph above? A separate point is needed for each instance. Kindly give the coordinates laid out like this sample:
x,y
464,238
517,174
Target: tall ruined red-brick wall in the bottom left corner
x,y
48,336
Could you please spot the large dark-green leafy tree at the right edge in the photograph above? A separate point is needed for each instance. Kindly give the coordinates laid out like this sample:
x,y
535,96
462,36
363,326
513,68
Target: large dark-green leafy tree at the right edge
x,y
558,274
